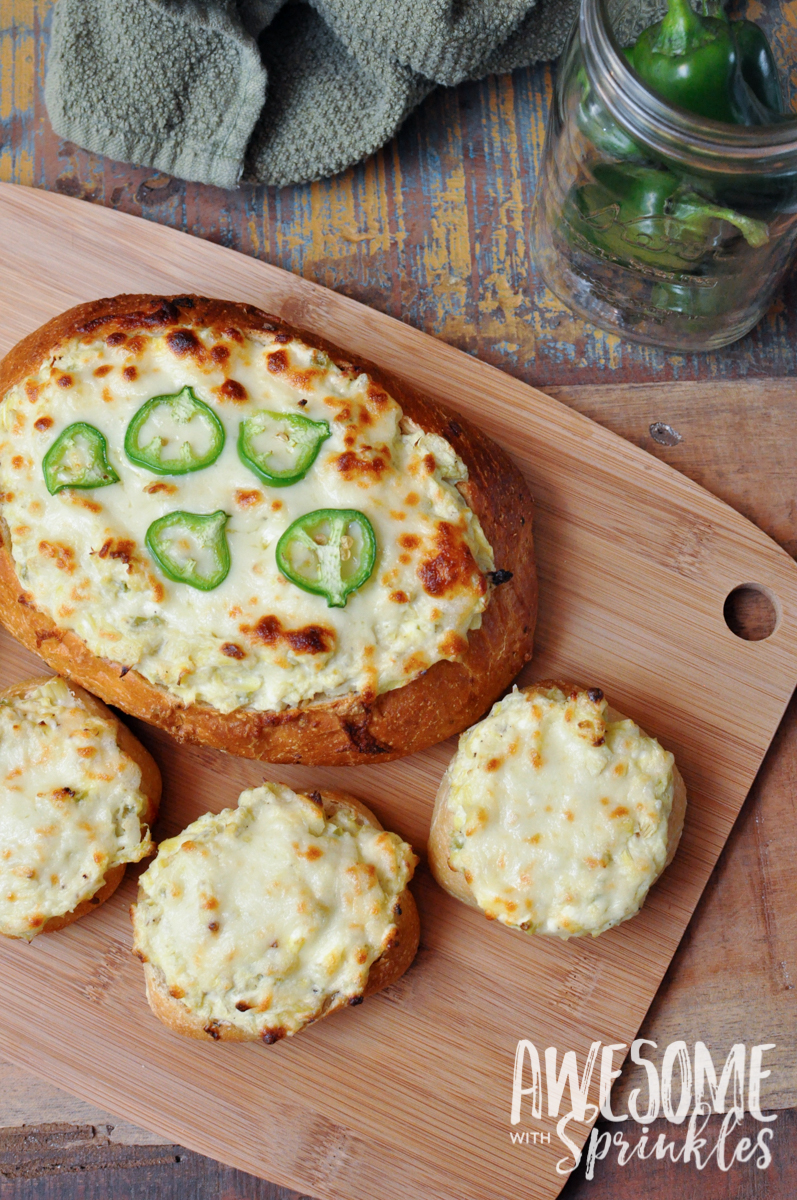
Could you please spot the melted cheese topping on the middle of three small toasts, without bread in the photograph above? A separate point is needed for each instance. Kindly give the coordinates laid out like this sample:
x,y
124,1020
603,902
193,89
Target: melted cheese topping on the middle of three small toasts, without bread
x,y
269,915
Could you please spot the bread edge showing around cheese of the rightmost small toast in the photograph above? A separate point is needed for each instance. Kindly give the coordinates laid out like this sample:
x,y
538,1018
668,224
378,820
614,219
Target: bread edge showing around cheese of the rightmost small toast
x,y
440,838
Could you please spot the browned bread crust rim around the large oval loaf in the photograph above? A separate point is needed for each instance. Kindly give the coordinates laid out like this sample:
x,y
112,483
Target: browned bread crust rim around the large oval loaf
x,y
445,700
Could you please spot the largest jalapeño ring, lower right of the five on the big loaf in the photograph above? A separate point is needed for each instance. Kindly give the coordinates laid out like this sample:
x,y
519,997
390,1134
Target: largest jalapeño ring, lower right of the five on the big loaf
x,y
331,553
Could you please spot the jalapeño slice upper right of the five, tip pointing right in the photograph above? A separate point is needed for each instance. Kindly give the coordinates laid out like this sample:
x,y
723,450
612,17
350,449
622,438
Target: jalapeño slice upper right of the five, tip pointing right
x,y
280,448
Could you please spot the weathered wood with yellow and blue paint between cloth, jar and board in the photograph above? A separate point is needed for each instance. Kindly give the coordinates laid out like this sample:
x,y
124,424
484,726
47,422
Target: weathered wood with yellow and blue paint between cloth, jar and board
x,y
435,230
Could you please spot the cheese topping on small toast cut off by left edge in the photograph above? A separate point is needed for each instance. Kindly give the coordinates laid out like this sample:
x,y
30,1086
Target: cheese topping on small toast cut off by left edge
x,y
70,807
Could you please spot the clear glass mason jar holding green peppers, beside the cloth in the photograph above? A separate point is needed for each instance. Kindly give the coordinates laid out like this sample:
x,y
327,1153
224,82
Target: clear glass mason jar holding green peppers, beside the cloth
x,y
652,223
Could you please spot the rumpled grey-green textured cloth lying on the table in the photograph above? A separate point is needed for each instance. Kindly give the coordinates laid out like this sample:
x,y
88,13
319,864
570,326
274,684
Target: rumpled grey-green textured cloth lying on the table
x,y
230,92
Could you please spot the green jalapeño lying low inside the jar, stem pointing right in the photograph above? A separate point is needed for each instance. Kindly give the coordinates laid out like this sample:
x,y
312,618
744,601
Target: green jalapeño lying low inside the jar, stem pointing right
x,y
636,214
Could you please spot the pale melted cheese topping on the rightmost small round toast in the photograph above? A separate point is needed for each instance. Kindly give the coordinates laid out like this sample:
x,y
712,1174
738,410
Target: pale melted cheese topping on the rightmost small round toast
x,y
560,817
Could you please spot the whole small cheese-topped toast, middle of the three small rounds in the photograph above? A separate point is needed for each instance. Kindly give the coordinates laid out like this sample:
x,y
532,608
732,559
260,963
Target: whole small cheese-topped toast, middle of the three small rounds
x,y
237,860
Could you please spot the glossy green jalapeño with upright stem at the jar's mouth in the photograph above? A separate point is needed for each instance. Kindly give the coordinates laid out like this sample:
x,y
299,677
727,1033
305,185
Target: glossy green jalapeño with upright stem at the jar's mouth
x,y
693,62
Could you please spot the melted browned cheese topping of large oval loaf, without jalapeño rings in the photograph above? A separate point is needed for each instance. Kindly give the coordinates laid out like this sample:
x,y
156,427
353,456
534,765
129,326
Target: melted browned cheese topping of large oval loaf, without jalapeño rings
x,y
257,641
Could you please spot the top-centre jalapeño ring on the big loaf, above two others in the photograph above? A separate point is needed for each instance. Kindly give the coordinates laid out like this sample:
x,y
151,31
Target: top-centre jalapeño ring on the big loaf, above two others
x,y
175,435
